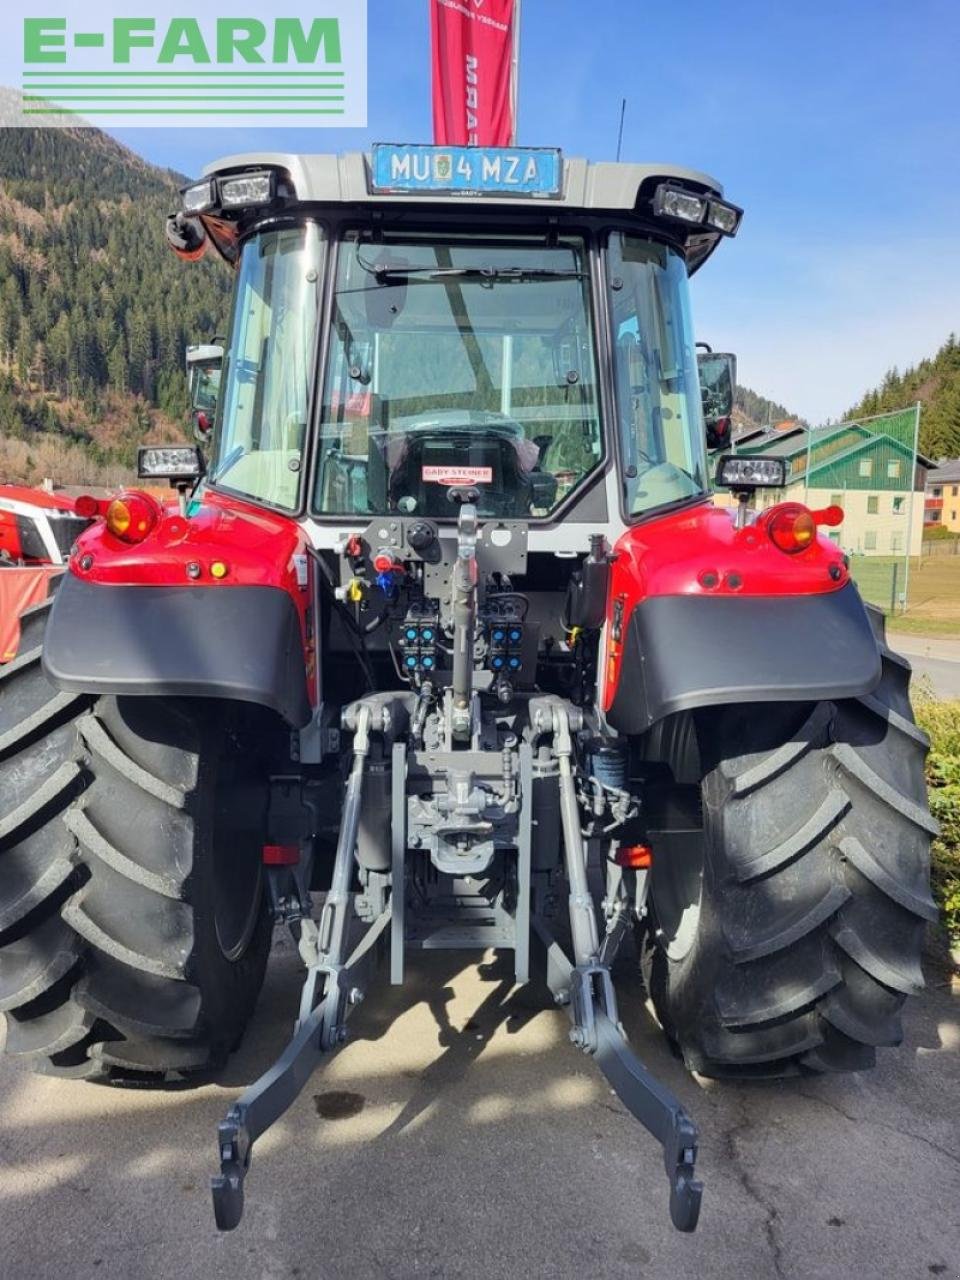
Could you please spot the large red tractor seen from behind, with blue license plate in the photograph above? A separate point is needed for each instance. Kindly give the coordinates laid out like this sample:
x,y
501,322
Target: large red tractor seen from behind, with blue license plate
x,y
451,633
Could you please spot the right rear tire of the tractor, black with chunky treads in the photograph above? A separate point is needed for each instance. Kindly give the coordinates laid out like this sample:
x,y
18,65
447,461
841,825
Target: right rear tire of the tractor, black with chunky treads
x,y
794,941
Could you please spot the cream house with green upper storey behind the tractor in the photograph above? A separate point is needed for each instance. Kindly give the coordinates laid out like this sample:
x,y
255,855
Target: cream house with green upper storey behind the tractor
x,y
868,469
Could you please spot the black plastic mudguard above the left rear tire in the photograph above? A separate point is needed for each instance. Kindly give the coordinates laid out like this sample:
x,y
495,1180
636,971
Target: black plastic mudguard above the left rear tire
x,y
198,642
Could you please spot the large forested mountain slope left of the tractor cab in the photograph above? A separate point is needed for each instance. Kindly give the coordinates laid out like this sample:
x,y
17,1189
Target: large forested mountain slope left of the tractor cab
x,y
95,310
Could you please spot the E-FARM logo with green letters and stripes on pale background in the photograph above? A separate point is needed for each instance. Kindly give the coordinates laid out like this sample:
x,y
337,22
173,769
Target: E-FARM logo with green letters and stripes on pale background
x,y
163,68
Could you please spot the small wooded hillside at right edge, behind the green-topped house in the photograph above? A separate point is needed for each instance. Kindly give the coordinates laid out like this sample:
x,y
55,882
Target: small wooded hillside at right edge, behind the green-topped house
x,y
936,383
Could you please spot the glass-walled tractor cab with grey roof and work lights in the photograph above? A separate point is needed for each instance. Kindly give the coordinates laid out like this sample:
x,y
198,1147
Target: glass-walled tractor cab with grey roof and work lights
x,y
397,337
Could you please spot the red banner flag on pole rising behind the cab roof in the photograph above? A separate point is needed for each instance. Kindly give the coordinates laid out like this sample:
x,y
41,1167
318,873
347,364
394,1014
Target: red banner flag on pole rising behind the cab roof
x,y
473,72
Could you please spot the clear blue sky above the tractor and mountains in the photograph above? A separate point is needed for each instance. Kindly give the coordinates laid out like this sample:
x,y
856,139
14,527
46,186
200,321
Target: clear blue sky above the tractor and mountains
x,y
835,125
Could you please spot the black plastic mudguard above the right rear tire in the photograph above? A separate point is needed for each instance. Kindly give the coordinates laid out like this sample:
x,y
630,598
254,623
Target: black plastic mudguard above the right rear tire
x,y
692,651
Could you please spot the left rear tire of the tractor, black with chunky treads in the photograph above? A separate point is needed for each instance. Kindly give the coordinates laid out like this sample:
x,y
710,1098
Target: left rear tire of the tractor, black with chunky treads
x,y
134,922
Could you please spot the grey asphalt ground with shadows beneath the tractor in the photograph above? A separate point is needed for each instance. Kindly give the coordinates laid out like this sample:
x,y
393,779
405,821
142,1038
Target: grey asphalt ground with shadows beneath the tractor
x,y
459,1133
